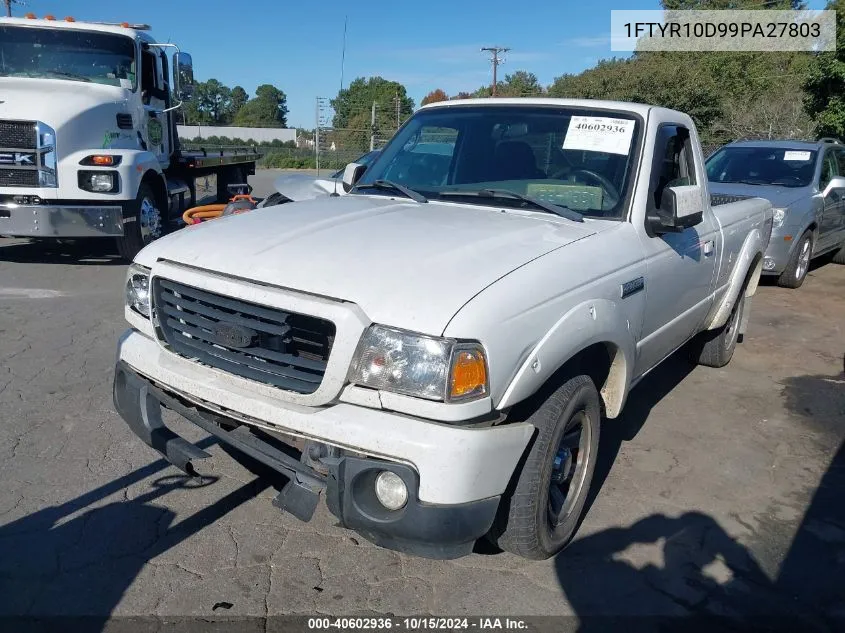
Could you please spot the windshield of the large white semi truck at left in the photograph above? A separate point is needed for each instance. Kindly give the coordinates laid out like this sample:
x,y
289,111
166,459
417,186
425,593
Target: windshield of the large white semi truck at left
x,y
86,56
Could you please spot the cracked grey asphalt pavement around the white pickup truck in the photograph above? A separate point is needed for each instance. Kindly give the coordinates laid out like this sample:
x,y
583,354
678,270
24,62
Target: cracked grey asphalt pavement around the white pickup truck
x,y
719,491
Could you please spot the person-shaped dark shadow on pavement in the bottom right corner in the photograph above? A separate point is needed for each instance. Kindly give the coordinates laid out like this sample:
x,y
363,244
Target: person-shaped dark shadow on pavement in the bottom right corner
x,y
687,573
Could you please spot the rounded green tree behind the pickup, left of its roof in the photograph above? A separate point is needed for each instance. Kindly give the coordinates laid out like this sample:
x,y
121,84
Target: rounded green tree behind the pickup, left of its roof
x,y
359,97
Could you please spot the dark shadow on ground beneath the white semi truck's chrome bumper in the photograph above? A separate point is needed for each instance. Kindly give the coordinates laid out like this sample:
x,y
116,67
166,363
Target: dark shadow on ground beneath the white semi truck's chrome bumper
x,y
72,252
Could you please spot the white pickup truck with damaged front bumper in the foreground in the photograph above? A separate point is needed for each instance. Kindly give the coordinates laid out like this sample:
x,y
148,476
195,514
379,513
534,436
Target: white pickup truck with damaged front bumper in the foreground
x,y
436,351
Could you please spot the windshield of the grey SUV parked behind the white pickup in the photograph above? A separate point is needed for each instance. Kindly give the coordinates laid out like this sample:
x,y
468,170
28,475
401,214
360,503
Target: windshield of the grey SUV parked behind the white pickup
x,y
762,166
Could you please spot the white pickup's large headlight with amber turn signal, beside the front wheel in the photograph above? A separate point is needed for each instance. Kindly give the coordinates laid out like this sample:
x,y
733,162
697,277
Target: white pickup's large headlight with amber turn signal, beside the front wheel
x,y
417,365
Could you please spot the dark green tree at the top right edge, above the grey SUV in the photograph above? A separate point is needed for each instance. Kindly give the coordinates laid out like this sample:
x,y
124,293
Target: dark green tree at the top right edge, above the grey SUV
x,y
825,84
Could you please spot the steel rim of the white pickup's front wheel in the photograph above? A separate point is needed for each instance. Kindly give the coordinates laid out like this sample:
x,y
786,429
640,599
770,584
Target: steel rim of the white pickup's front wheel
x,y
569,469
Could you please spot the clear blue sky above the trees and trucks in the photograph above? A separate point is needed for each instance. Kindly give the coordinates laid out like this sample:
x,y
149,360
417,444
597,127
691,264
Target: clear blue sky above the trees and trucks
x,y
424,45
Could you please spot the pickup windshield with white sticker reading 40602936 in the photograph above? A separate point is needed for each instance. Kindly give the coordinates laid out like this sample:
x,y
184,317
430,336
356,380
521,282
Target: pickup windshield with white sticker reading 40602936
x,y
577,158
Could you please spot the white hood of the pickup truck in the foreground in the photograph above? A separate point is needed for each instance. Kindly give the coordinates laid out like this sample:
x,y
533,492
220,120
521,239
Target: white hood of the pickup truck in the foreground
x,y
405,264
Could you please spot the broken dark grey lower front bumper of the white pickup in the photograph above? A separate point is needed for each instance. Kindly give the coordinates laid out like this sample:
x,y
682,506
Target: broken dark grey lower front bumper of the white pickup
x,y
346,479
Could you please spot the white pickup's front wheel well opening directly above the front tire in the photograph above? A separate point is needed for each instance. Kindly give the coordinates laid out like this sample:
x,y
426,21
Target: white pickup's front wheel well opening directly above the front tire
x,y
604,363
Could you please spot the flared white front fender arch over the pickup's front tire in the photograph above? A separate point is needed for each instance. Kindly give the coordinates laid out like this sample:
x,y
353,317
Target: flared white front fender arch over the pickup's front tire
x,y
591,322
